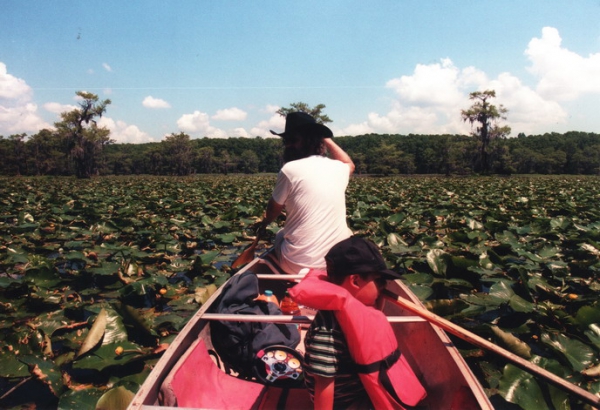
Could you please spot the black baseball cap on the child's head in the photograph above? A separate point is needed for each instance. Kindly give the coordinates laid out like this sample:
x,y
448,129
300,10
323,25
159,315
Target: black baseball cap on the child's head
x,y
356,255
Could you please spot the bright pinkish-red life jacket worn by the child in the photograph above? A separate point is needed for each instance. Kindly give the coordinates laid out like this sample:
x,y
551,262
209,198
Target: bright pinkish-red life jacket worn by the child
x,y
387,377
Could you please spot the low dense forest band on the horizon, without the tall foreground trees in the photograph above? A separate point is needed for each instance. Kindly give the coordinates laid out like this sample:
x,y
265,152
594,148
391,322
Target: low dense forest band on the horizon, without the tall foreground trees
x,y
570,153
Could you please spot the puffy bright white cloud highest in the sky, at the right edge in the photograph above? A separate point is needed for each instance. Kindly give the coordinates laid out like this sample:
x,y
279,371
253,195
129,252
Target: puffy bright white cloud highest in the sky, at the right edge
x,y
562,74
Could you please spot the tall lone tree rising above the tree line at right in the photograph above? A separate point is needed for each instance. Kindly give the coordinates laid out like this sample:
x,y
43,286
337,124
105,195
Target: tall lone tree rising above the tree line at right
x,y
487,116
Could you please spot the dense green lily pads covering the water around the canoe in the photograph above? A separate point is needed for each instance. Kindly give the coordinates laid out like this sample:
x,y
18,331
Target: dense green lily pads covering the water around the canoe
x,y
97,276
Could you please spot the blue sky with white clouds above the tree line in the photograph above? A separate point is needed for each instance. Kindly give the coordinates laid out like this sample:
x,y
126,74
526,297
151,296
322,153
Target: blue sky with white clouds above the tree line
x,y
222,68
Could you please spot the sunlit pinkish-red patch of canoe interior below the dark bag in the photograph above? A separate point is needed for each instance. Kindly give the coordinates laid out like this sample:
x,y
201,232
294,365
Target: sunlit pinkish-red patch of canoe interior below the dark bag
x,y
196,381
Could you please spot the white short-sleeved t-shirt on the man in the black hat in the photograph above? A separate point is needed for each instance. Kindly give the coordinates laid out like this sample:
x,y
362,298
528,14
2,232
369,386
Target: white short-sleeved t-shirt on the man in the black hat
x,y
313,191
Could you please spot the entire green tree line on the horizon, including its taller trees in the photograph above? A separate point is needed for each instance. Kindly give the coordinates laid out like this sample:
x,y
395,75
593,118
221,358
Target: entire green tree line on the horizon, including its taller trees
x,y
77,146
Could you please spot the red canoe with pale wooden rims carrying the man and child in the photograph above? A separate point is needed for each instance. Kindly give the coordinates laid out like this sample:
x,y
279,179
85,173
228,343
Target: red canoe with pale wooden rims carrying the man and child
x,y
187,377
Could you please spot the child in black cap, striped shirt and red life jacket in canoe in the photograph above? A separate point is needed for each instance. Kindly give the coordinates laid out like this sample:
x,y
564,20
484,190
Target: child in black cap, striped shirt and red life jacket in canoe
x,y
348,330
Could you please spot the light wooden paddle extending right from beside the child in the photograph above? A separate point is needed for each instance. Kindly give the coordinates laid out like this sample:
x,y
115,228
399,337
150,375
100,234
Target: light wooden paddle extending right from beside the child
x,y
479,341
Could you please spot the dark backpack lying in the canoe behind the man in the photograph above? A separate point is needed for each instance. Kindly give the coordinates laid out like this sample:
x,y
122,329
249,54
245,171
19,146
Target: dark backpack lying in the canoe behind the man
x,y
237,343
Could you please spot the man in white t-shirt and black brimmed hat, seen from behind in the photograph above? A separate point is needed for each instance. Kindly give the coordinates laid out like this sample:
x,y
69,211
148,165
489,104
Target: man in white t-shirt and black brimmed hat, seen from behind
x,y
312,189
